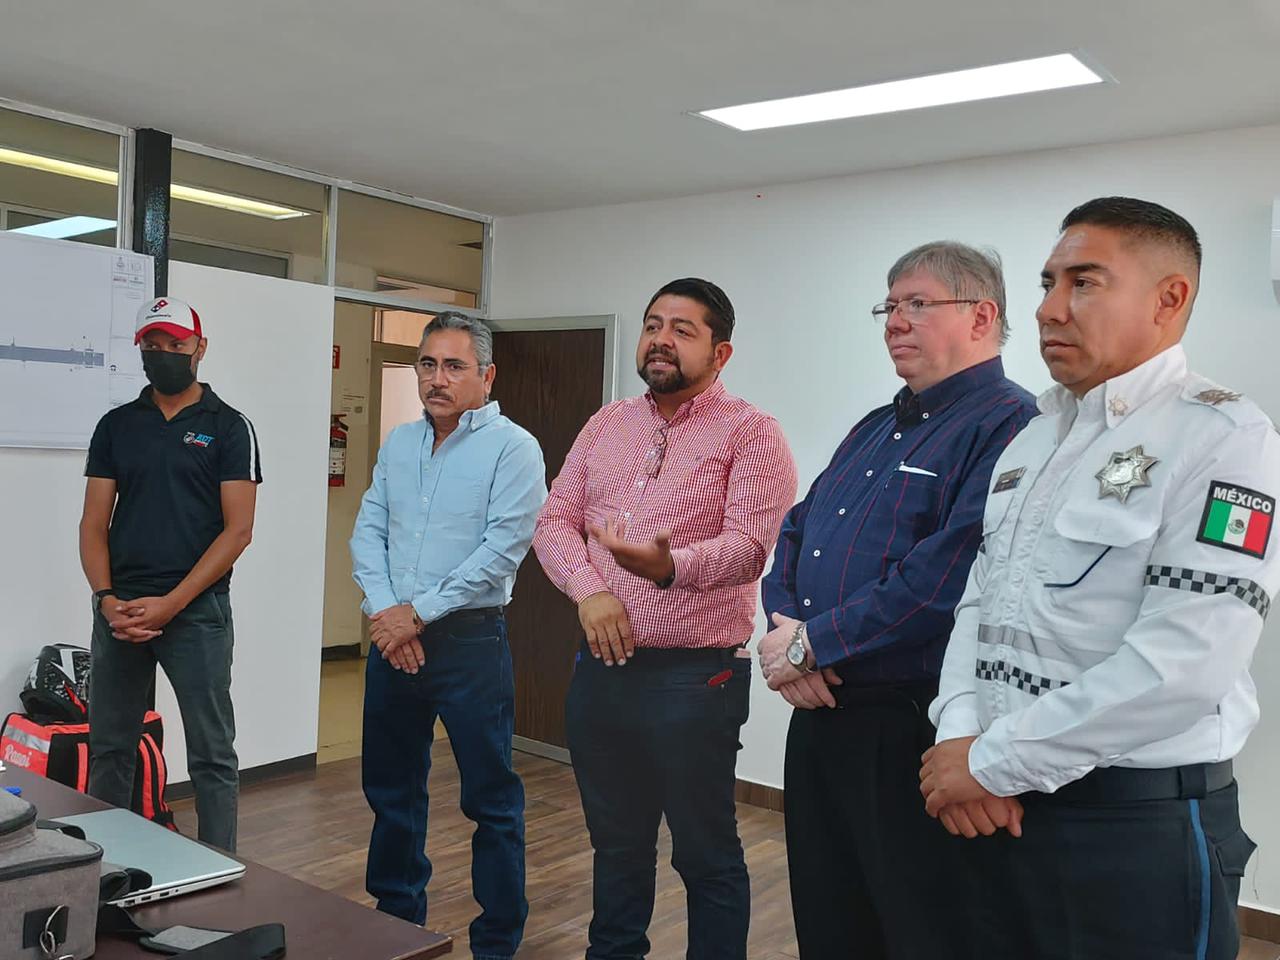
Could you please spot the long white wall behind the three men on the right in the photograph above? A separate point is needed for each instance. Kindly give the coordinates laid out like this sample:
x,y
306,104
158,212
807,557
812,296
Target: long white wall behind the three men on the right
x,y
804,263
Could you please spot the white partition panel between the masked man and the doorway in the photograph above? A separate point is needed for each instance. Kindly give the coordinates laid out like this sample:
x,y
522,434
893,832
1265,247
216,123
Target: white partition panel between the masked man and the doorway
x,y
271,356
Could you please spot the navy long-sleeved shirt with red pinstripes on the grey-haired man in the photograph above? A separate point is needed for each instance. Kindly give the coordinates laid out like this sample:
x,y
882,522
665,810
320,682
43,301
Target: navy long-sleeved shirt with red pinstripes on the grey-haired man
x,y
876,556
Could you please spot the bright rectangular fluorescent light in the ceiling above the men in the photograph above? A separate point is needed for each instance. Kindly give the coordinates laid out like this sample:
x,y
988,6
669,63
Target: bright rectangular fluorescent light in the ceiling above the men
x,y
957,88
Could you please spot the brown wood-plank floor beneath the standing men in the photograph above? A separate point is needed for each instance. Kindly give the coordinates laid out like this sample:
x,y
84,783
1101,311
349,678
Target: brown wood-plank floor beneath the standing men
x,y
316,828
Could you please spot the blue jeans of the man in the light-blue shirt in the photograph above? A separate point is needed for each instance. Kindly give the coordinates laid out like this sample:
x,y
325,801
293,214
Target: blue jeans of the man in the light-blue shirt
x,y
468,683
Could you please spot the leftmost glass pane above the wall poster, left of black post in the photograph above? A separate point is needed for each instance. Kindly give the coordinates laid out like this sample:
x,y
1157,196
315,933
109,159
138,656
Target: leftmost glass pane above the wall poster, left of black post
x,y
58,180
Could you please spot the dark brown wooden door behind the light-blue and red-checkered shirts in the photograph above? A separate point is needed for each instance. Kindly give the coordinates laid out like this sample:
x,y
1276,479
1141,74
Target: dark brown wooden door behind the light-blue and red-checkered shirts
x,y
551,383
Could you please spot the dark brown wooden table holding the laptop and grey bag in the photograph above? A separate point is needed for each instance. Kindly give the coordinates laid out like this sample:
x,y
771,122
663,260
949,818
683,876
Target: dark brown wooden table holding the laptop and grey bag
x,y
318,925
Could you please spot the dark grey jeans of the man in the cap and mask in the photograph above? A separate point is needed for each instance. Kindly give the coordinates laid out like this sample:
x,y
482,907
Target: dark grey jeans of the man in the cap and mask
x,y
195,652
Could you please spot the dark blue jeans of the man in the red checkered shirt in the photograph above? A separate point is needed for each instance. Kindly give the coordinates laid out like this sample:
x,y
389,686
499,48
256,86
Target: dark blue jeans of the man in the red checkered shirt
x,y
655,739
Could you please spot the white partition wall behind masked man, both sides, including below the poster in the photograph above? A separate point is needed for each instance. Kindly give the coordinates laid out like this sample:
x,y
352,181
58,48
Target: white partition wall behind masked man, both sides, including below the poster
x,y
269,356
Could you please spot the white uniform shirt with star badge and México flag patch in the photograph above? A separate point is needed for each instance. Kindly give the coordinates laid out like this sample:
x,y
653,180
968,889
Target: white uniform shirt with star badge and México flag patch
x,y
1100,632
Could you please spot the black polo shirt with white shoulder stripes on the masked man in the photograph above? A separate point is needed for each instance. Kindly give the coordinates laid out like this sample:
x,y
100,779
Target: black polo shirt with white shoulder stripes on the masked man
x,y
170,477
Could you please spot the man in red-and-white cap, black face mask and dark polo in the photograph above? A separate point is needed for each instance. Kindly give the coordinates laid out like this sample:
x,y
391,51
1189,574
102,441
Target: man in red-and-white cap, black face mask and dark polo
x,y
168,510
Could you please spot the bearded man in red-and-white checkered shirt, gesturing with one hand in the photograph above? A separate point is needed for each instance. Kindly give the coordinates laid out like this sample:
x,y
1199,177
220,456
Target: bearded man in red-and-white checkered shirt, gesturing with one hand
x,y
659,528
